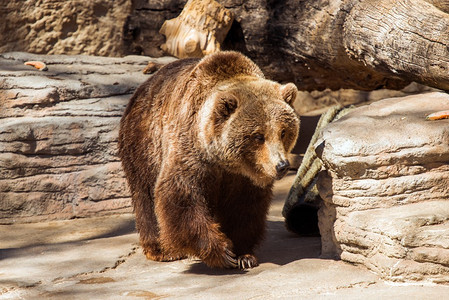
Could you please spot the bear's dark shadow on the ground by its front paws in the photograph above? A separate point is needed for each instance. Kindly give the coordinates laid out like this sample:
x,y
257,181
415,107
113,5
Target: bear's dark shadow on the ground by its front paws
x,y
280,247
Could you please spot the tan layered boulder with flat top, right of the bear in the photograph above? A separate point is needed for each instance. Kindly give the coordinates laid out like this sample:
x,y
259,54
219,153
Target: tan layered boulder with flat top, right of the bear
x,y
386,188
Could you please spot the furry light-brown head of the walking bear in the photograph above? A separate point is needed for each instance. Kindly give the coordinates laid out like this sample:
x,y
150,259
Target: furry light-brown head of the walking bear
x,y
248,126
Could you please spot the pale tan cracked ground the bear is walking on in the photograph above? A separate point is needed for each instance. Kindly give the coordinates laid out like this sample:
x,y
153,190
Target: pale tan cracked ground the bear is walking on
x,y
99,258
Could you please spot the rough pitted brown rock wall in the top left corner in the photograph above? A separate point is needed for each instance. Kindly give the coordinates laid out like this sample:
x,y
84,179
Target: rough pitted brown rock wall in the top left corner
x,y
65,27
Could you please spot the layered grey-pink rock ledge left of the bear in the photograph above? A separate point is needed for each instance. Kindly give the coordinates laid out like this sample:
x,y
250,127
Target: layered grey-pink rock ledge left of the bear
x,y
58,134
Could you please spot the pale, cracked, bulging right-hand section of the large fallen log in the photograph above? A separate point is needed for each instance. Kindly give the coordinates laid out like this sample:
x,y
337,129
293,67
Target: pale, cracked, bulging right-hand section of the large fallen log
x,y
409,39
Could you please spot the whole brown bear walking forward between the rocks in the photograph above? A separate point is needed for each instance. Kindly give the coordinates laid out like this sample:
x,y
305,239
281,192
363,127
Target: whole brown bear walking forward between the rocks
x,y
201,143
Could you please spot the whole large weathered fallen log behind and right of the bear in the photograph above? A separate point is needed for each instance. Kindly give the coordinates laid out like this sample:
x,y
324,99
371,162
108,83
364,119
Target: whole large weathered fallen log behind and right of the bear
x,y
336,44
